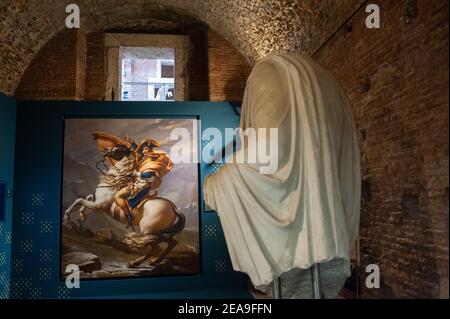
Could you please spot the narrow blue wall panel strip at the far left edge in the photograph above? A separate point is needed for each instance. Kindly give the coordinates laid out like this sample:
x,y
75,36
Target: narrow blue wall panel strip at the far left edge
x,y
7,135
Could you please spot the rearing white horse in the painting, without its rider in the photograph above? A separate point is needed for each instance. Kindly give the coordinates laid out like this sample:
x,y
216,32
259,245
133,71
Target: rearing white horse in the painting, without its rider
x,y
156,221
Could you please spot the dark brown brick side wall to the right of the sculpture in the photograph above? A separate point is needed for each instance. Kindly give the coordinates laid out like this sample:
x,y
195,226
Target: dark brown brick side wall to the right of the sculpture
x,y
397,80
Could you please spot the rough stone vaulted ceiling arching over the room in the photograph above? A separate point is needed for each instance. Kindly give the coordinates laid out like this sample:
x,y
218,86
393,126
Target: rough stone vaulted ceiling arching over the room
x,y
255,27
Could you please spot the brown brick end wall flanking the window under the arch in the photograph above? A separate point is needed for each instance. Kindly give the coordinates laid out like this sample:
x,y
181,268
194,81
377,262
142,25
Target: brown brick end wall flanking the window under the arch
x,y
72,66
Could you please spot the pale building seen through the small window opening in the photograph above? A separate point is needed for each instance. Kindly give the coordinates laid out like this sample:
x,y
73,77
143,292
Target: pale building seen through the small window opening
x,y
147,74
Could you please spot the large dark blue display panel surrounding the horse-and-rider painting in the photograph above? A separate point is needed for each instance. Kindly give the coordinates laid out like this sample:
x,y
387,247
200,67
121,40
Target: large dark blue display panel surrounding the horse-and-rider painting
x,y
35,263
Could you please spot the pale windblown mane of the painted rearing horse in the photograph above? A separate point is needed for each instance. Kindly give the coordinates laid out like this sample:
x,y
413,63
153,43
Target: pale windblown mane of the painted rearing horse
x,y
121,174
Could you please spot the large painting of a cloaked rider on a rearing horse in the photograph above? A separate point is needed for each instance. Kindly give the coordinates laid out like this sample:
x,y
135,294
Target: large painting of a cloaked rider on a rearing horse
x,y
129,209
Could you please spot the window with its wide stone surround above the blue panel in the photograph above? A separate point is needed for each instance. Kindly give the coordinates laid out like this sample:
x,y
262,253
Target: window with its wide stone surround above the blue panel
x,y
146,67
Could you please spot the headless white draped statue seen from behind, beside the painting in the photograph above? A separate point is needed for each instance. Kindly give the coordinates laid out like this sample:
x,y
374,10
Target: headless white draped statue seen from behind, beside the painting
x,y
307,212
